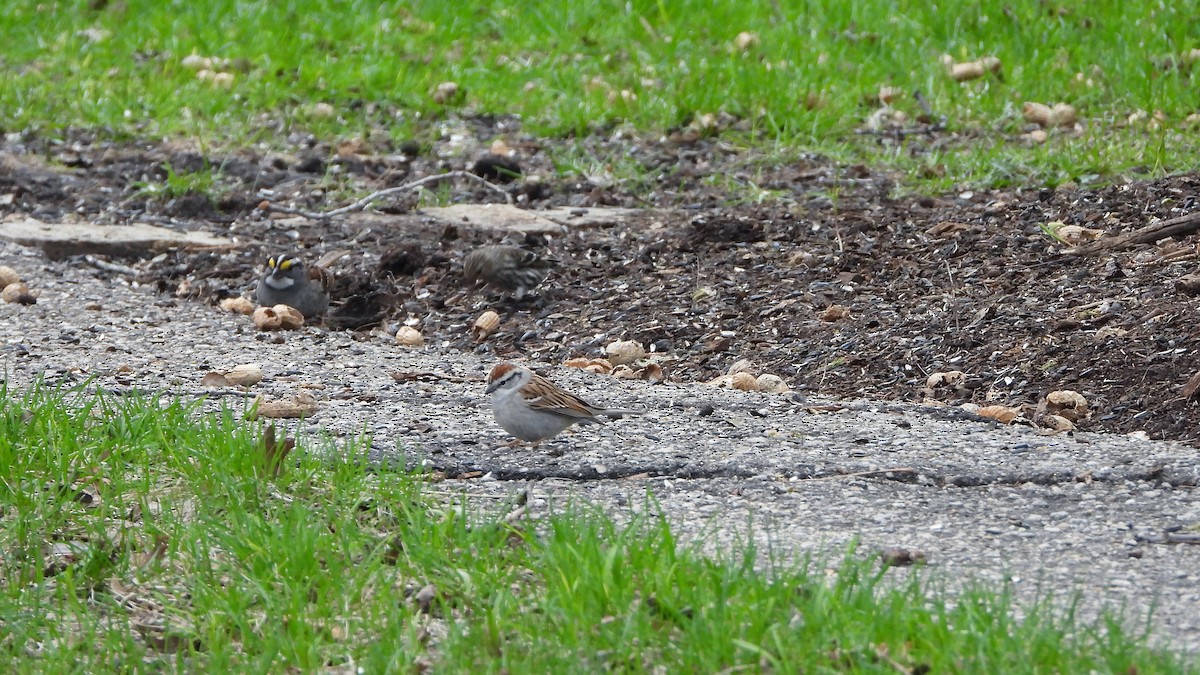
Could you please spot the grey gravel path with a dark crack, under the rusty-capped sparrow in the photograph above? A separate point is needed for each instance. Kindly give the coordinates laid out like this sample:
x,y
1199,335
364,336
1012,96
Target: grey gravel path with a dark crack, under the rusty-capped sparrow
x,y
981,501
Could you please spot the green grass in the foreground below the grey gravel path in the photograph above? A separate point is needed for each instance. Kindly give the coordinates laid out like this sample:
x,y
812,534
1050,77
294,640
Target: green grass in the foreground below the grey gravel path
x,y
140,535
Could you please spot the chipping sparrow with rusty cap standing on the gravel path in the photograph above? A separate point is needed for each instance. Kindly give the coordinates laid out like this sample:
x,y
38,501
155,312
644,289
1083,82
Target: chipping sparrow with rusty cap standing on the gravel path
x,y
535,409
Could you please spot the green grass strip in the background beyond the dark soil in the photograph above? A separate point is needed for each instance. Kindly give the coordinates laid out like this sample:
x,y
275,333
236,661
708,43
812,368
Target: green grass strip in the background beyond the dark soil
x,y
573,68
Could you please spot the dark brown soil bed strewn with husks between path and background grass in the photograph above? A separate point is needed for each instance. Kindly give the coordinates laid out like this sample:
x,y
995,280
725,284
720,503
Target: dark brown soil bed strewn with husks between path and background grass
x,y
968,283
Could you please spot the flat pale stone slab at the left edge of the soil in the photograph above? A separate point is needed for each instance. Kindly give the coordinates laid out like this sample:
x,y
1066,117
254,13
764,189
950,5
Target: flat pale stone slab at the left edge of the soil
x,y
59,241
